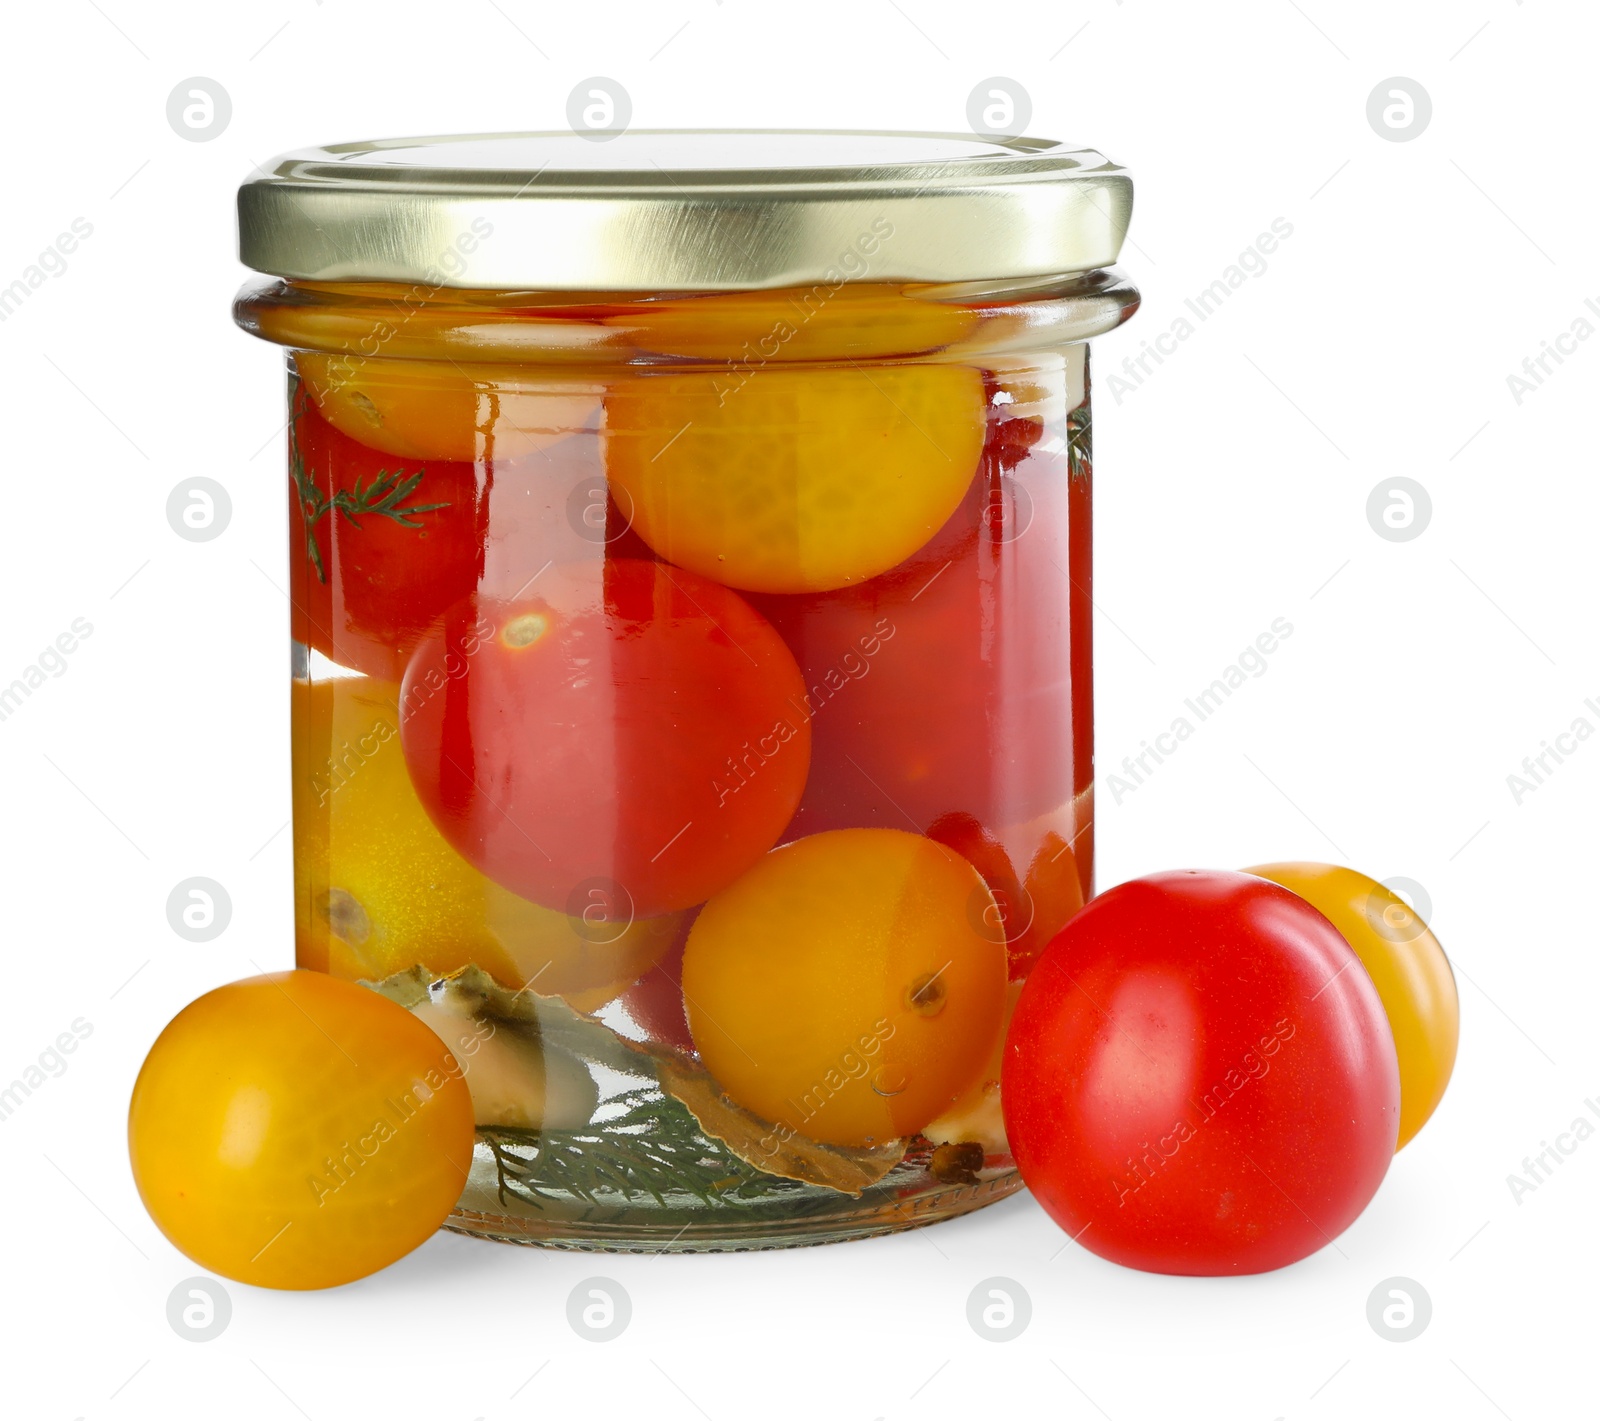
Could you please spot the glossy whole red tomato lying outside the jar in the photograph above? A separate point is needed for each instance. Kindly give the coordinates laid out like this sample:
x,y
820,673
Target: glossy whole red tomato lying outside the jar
x,y
1201,1079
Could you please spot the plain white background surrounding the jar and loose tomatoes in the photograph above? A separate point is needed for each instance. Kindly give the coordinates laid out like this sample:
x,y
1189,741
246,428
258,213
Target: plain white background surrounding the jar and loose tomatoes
x,y
1233,490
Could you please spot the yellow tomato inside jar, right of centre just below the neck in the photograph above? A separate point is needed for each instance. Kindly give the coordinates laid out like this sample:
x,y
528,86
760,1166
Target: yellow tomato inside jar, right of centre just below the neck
x,y
793,479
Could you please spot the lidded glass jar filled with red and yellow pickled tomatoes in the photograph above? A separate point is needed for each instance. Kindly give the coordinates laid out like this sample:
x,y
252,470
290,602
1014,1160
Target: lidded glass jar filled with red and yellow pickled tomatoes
x,y
690,622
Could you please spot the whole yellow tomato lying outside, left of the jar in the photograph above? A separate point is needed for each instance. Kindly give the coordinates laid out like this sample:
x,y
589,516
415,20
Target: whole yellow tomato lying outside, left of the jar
x,y
298,1132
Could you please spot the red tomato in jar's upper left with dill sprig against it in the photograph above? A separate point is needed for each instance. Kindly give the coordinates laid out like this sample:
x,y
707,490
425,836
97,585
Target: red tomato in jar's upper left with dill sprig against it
x,y
385,577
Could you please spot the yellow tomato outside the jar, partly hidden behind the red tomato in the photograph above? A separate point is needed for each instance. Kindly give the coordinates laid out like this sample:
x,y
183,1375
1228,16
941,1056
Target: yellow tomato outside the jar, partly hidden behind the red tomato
x,y
1407,966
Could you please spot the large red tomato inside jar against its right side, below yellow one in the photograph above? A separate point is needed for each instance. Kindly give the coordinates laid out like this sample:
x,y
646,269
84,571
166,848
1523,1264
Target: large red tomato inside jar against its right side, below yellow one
x,y
945,686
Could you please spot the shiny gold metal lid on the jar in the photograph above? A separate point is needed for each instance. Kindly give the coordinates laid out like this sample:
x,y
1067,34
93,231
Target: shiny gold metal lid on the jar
x,y
686,210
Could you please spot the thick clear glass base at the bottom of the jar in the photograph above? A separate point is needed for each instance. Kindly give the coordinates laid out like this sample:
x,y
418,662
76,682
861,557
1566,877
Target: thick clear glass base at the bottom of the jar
x,y
910,1198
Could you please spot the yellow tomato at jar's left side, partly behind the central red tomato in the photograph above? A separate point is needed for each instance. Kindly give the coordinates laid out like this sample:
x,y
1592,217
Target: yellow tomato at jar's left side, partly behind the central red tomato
x,y
378,889
